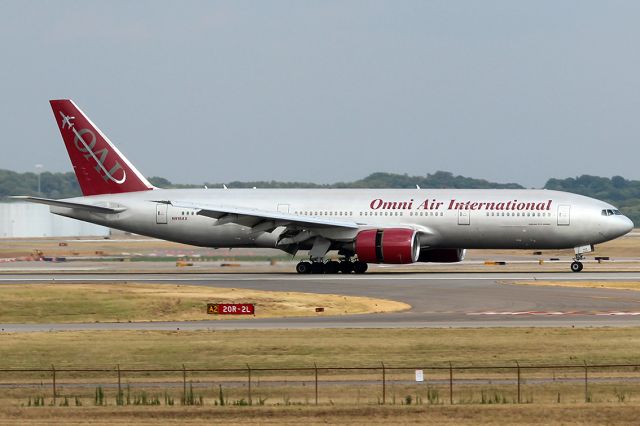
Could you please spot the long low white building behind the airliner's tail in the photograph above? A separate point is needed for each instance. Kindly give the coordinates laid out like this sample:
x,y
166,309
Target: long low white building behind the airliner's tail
x,y
29,220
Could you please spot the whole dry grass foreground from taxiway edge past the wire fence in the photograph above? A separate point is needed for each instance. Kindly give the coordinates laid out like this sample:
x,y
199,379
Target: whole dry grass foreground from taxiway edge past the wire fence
x,y
480,397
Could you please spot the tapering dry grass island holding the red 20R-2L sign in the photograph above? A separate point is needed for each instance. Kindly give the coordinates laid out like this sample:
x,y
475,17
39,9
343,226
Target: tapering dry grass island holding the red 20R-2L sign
x,y
43,303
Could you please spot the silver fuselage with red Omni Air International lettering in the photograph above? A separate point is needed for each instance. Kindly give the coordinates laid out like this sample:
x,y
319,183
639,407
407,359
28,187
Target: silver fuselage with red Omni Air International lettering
x,y
446,218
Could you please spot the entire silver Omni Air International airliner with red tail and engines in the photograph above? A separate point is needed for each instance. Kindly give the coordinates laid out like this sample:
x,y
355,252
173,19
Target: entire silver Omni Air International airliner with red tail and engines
x,y
395,226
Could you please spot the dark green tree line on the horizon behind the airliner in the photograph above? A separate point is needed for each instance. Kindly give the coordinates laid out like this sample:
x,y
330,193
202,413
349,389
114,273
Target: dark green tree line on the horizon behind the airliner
x,y
623,193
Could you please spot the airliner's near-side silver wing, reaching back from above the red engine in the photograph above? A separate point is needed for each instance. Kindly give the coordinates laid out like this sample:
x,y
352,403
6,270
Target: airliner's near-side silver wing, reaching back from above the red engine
x,y
256,218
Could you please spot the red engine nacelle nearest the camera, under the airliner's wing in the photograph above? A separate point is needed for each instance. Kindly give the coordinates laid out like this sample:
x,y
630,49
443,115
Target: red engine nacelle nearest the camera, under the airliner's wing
x,y
393,245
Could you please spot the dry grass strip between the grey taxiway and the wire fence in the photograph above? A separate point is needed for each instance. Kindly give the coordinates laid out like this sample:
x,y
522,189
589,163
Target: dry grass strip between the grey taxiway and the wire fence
x,y
327,347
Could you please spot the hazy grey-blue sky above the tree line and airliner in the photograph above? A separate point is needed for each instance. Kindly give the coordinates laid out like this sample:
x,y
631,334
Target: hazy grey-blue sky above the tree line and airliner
x,y
323,91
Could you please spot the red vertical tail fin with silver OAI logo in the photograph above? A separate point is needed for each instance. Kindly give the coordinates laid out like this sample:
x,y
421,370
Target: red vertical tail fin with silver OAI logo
x,y
99,166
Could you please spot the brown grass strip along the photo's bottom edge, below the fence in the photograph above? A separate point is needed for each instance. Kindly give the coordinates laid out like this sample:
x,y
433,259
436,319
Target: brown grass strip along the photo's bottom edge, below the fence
x,y
579,414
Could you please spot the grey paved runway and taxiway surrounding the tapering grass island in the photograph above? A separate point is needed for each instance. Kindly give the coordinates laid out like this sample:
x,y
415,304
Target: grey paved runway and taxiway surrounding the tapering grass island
x,y
437,300
